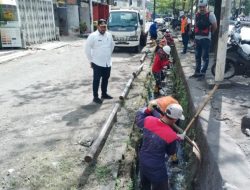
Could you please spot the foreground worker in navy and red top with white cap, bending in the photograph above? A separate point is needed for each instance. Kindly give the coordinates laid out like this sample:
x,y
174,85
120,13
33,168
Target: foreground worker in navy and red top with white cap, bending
x,y
159,140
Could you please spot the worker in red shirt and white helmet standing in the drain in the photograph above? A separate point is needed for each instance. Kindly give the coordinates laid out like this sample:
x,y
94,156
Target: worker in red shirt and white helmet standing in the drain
x,y
161,61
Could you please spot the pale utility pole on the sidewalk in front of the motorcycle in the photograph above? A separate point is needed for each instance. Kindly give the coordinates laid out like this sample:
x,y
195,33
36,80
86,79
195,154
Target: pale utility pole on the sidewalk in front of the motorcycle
x,y
222,41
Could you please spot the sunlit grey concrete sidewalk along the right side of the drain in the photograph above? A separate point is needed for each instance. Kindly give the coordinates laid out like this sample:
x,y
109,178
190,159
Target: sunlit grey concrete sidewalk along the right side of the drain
x,y
225,148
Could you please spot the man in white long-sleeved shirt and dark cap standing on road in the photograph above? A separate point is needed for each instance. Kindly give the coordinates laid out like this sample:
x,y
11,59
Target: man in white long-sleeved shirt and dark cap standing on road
x,y
99,48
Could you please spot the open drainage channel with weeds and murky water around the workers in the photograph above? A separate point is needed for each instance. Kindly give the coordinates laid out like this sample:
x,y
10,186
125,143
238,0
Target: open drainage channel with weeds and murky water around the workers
x,y
181,175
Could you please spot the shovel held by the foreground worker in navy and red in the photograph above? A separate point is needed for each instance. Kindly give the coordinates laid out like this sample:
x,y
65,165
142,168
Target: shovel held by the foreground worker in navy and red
x,y
196,149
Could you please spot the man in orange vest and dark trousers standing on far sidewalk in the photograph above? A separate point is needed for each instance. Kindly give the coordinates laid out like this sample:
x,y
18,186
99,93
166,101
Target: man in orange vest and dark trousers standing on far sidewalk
x,y
185,31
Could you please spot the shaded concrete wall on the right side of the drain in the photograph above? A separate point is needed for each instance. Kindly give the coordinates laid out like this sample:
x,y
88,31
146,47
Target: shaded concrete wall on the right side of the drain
x,y
206,175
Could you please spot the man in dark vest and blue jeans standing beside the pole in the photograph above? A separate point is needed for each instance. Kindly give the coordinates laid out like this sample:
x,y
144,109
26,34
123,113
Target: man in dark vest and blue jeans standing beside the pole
x,y
205,24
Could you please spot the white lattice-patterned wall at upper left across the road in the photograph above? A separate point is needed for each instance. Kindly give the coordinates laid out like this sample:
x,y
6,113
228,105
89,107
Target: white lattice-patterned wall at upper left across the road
x,y
37,20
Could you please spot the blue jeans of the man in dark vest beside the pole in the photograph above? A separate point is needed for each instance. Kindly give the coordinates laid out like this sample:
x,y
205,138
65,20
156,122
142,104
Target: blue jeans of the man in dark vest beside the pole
x,y
202,51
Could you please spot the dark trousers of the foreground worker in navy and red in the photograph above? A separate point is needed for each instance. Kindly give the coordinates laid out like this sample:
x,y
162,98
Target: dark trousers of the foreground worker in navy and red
x,y
147,185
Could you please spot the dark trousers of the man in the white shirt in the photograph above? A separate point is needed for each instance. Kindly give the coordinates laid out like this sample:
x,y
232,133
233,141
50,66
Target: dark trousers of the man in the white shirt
x,y
98,73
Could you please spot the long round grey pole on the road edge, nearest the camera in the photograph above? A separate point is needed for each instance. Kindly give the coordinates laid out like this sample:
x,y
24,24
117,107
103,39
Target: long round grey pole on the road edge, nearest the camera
x,y
98,143
